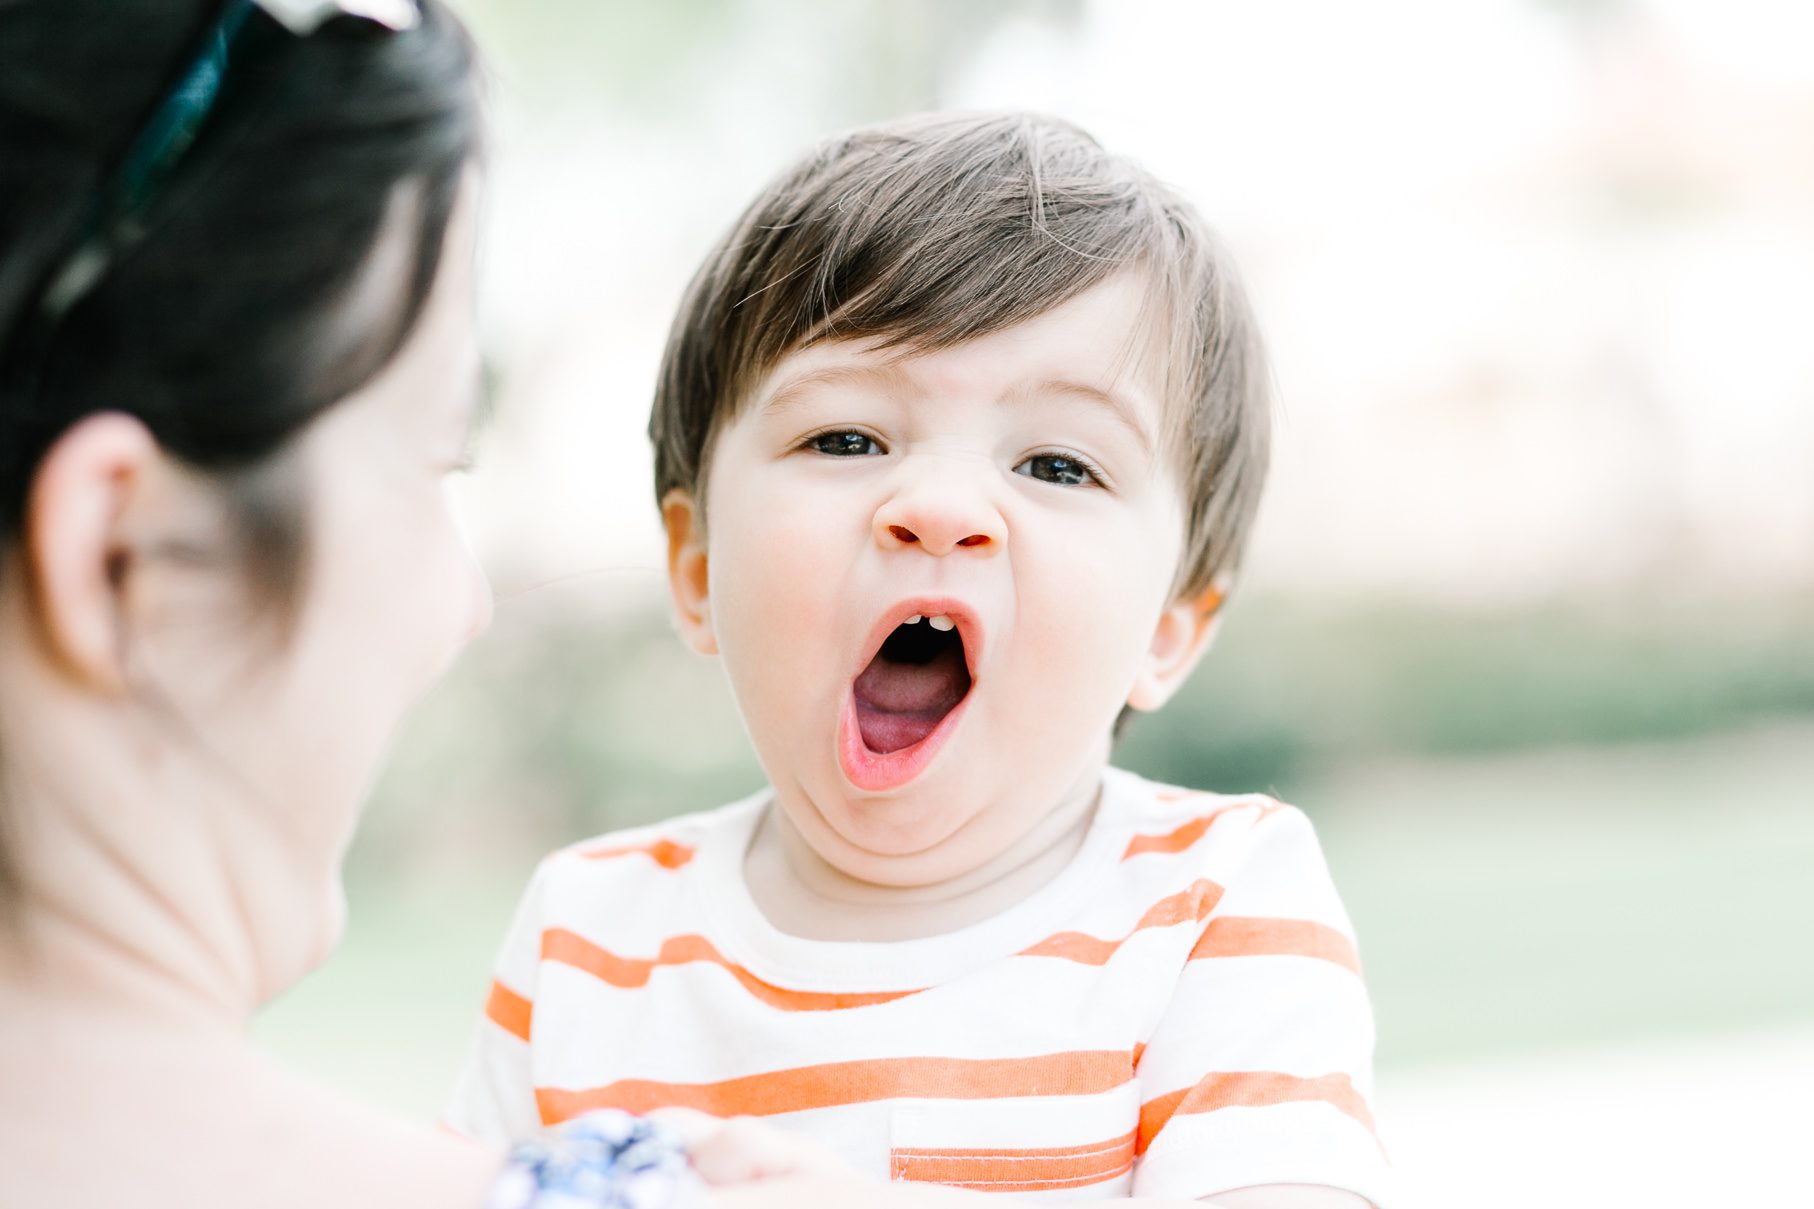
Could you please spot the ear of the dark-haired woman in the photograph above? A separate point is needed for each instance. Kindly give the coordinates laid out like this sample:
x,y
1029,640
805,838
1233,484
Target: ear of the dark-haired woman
x,y
77,547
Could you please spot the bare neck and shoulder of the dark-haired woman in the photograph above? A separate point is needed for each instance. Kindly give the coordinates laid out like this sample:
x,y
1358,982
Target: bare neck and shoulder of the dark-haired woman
x,y
162,903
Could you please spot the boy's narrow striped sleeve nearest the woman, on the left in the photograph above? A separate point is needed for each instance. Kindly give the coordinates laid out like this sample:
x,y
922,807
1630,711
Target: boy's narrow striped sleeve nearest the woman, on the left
x,y
494,1099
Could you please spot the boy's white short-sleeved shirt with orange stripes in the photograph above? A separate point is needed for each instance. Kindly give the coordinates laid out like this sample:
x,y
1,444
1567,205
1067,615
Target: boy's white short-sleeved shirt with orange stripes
x,y
1178,1014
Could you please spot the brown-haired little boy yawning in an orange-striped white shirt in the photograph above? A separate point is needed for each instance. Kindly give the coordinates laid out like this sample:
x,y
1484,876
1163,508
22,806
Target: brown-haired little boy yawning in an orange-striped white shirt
x,y
959,440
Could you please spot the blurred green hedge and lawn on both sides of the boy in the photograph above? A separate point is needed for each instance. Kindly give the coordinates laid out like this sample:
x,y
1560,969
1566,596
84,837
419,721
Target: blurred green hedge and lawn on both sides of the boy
x,y
1550,827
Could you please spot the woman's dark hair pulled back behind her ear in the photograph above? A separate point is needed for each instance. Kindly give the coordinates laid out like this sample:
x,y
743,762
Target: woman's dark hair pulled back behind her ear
x,y
226,329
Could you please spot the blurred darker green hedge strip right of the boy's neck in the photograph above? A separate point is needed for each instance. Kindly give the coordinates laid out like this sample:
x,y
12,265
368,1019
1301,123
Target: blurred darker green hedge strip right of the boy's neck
x,y
1296,685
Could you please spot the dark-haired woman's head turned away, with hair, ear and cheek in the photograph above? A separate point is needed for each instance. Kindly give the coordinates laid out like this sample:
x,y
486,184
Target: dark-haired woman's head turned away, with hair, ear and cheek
x,y
249,415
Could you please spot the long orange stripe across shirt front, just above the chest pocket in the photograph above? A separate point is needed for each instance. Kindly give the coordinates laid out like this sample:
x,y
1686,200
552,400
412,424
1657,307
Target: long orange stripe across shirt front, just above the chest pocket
x,y
803,1088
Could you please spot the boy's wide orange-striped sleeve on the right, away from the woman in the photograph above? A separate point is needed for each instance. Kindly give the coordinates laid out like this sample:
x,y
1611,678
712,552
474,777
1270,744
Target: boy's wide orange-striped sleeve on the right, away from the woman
x,y
1262,1066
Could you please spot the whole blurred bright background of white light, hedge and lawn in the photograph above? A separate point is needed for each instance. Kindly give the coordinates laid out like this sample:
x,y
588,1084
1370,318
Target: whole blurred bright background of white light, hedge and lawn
x,y
1530,620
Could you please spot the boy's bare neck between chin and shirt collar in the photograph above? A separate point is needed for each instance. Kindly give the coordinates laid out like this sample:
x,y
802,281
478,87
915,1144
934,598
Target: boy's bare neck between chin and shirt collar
x,y
805,896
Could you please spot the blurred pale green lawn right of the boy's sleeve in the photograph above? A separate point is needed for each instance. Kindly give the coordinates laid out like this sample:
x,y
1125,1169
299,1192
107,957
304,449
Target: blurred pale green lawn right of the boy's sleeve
x,y
1579,896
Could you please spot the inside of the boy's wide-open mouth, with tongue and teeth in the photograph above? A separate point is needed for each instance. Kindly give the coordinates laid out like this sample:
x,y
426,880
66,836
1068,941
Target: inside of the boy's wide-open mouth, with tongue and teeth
x,y
912,685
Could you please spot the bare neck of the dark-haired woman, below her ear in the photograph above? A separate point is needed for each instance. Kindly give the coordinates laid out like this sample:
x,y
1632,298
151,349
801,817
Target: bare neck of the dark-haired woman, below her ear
x,y
151,889
